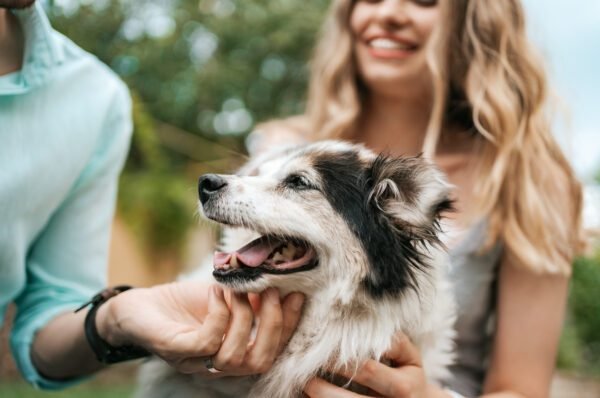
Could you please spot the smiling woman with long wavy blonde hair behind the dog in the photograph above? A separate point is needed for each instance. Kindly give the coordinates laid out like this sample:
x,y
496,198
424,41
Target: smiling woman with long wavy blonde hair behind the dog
x,y
457,80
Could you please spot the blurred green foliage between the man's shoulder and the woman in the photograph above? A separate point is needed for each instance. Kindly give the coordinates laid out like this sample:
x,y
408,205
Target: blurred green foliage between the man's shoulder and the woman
x,y
202,73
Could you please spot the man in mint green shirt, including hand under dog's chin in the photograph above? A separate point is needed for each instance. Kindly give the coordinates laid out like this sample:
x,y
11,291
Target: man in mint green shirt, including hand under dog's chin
x,y
64,133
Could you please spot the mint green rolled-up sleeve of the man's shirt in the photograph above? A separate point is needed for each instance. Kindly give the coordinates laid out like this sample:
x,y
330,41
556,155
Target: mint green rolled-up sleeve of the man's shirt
x,y
67,263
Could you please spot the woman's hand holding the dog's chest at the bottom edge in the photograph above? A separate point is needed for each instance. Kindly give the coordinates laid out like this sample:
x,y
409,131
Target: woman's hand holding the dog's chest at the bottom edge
x,y
404,378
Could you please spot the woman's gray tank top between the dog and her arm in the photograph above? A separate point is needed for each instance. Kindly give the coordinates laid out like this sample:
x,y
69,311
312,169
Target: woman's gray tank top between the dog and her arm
x,y
473,274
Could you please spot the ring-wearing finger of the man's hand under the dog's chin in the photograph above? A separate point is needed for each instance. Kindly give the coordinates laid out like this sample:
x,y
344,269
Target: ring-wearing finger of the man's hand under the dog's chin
x,y
233,350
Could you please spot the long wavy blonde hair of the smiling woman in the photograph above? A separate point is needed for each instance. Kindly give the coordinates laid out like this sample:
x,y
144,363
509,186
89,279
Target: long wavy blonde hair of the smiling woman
x,y
486,78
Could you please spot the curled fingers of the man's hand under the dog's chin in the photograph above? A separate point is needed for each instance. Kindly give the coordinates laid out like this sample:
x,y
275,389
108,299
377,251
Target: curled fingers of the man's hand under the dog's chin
x,y
234,315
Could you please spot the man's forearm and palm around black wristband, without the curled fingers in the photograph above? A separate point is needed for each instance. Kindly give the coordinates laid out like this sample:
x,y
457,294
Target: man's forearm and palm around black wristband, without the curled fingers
x,y
190,319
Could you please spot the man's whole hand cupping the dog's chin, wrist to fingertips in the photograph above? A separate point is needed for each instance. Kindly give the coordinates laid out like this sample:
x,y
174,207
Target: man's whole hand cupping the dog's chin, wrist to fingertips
x,y
186,322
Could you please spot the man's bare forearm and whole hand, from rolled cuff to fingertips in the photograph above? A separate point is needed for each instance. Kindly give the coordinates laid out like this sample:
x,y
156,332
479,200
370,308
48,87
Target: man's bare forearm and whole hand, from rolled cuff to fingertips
x,y
182,323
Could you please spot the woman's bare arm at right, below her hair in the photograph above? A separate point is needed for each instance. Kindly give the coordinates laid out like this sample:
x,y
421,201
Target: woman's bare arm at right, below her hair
x,y
530,314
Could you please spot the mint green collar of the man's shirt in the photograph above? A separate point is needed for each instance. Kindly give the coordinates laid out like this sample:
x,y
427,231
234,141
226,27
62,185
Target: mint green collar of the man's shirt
x,y
42,52
